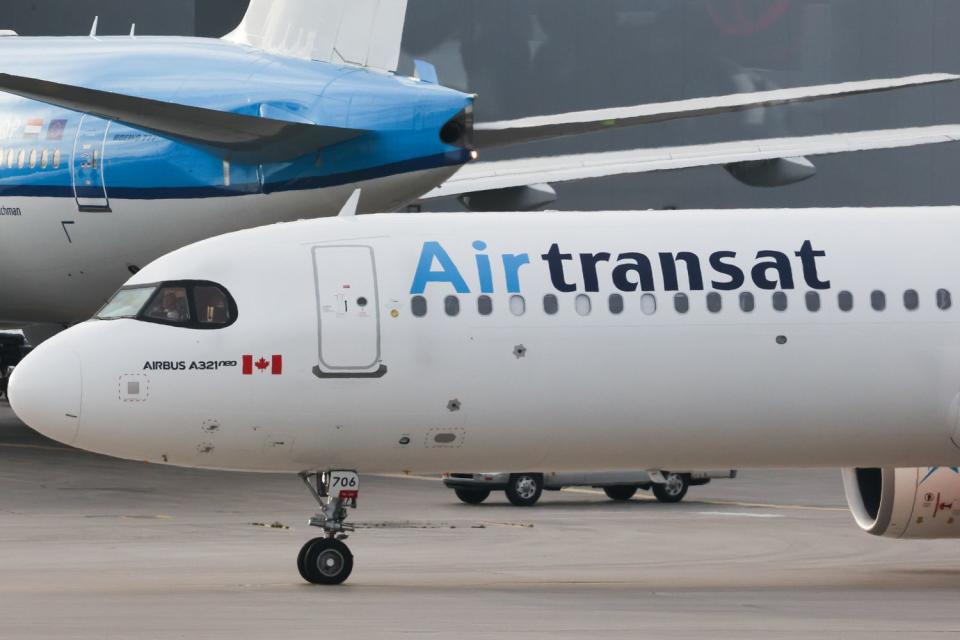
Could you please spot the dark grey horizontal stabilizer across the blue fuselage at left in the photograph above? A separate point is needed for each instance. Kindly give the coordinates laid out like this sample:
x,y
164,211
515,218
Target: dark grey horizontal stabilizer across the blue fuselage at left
x,y
243,138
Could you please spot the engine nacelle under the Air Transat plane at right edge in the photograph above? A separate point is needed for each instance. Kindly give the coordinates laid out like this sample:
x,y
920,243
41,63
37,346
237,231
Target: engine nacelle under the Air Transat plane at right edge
x,y
905,503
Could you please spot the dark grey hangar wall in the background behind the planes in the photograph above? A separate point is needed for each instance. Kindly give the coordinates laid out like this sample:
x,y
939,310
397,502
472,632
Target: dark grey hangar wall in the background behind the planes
x,y
540,56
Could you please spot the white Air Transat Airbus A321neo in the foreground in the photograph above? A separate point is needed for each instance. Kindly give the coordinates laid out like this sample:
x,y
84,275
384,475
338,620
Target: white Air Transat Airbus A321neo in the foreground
x,y
547,341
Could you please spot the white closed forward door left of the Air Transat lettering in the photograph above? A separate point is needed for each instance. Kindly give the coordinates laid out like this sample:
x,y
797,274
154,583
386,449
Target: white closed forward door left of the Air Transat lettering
x,y
348,310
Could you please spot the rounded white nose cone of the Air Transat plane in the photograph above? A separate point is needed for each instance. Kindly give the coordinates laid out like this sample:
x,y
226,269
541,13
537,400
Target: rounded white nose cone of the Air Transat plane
x,y
45,392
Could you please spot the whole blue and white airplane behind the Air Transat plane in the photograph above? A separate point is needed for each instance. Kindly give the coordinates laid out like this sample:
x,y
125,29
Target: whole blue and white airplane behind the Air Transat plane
x,y
116,150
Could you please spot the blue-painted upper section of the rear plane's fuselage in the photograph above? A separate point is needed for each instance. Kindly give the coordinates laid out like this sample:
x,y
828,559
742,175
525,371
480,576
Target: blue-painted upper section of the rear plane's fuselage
x,y
403,118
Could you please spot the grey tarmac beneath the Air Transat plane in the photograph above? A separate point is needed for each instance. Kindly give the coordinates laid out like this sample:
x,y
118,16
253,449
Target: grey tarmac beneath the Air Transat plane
x,y
95,548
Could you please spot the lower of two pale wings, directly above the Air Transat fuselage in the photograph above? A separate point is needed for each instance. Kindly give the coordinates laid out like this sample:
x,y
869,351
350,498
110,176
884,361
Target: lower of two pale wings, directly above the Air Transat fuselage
x,y
489,176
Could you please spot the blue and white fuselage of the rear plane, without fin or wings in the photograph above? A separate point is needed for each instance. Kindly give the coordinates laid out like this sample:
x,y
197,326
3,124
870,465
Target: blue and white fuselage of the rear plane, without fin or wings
x,y
85,201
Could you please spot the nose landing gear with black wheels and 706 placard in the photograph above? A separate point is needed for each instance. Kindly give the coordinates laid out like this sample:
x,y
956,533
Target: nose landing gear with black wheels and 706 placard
x,y
326,559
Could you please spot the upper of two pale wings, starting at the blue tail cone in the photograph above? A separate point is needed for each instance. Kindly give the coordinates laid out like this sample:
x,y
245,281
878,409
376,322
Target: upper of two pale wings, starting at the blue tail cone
x,y
506,132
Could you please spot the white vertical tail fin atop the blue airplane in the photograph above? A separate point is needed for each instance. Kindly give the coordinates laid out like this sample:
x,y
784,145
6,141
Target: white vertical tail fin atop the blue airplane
x,y
361,32
